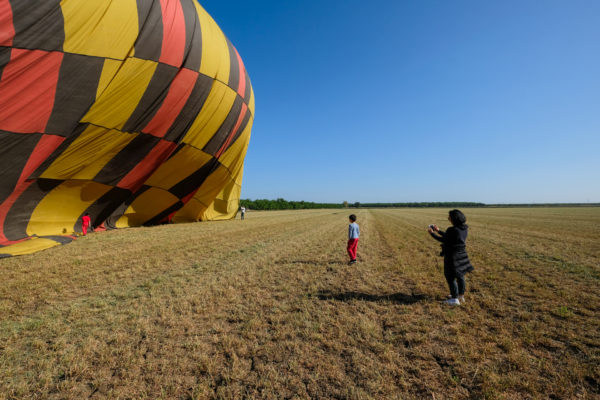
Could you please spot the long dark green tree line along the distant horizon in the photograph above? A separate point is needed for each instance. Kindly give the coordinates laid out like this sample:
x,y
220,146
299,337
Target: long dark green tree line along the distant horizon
x,y
282,204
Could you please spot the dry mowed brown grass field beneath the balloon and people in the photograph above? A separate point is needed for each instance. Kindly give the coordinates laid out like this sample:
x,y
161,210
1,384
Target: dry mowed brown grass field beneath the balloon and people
x,y
268,308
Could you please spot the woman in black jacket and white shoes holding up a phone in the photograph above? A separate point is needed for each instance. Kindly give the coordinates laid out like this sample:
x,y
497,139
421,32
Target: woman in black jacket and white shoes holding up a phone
x,y
456,260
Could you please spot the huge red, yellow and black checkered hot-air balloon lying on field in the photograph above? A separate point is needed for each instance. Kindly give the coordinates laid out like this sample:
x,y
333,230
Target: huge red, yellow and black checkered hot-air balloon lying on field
x,y
137,112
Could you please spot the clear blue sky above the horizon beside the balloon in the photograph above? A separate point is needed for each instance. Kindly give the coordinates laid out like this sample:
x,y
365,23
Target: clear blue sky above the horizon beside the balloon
x,y
422,100
